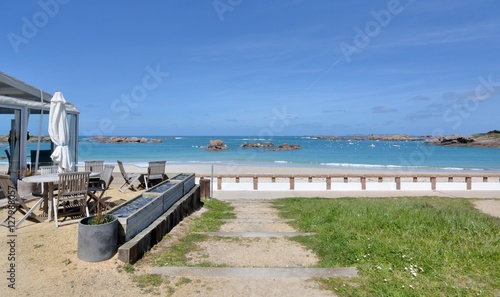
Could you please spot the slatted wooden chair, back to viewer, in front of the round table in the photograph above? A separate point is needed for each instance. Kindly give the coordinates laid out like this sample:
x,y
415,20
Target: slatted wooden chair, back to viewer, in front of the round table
x,y
71,198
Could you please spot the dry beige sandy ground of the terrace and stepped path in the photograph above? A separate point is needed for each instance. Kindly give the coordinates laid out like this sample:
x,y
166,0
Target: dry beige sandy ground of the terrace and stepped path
x,y
46,263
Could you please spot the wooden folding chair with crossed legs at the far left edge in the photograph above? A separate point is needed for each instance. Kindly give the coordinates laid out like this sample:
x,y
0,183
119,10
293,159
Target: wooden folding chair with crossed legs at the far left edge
x,y
17,204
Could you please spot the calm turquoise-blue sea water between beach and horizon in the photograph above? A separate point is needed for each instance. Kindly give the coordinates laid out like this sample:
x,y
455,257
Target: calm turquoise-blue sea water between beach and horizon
x,y
365,154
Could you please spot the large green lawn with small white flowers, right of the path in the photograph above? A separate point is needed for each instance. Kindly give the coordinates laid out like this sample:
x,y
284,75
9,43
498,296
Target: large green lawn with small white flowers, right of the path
x,y
402,246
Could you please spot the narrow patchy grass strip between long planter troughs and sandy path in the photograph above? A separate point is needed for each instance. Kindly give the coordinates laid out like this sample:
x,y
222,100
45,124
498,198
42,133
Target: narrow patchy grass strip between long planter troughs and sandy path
x,y
210,221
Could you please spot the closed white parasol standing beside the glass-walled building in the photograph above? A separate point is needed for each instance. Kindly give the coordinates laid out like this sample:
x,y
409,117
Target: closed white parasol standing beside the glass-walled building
x,y
59,133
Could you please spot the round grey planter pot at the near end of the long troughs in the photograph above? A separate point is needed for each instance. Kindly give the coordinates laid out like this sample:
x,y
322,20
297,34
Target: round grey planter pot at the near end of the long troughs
x,y
97,242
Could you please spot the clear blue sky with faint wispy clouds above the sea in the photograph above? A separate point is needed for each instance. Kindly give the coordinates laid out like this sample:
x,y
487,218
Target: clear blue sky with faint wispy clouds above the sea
x,y
241,67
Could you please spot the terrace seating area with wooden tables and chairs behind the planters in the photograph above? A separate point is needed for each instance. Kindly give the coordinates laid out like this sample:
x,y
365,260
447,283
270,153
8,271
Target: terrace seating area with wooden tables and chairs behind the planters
x,y
78,194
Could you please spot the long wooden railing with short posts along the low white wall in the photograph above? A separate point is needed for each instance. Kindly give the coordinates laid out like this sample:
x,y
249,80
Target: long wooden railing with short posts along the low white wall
x,y
362,179
